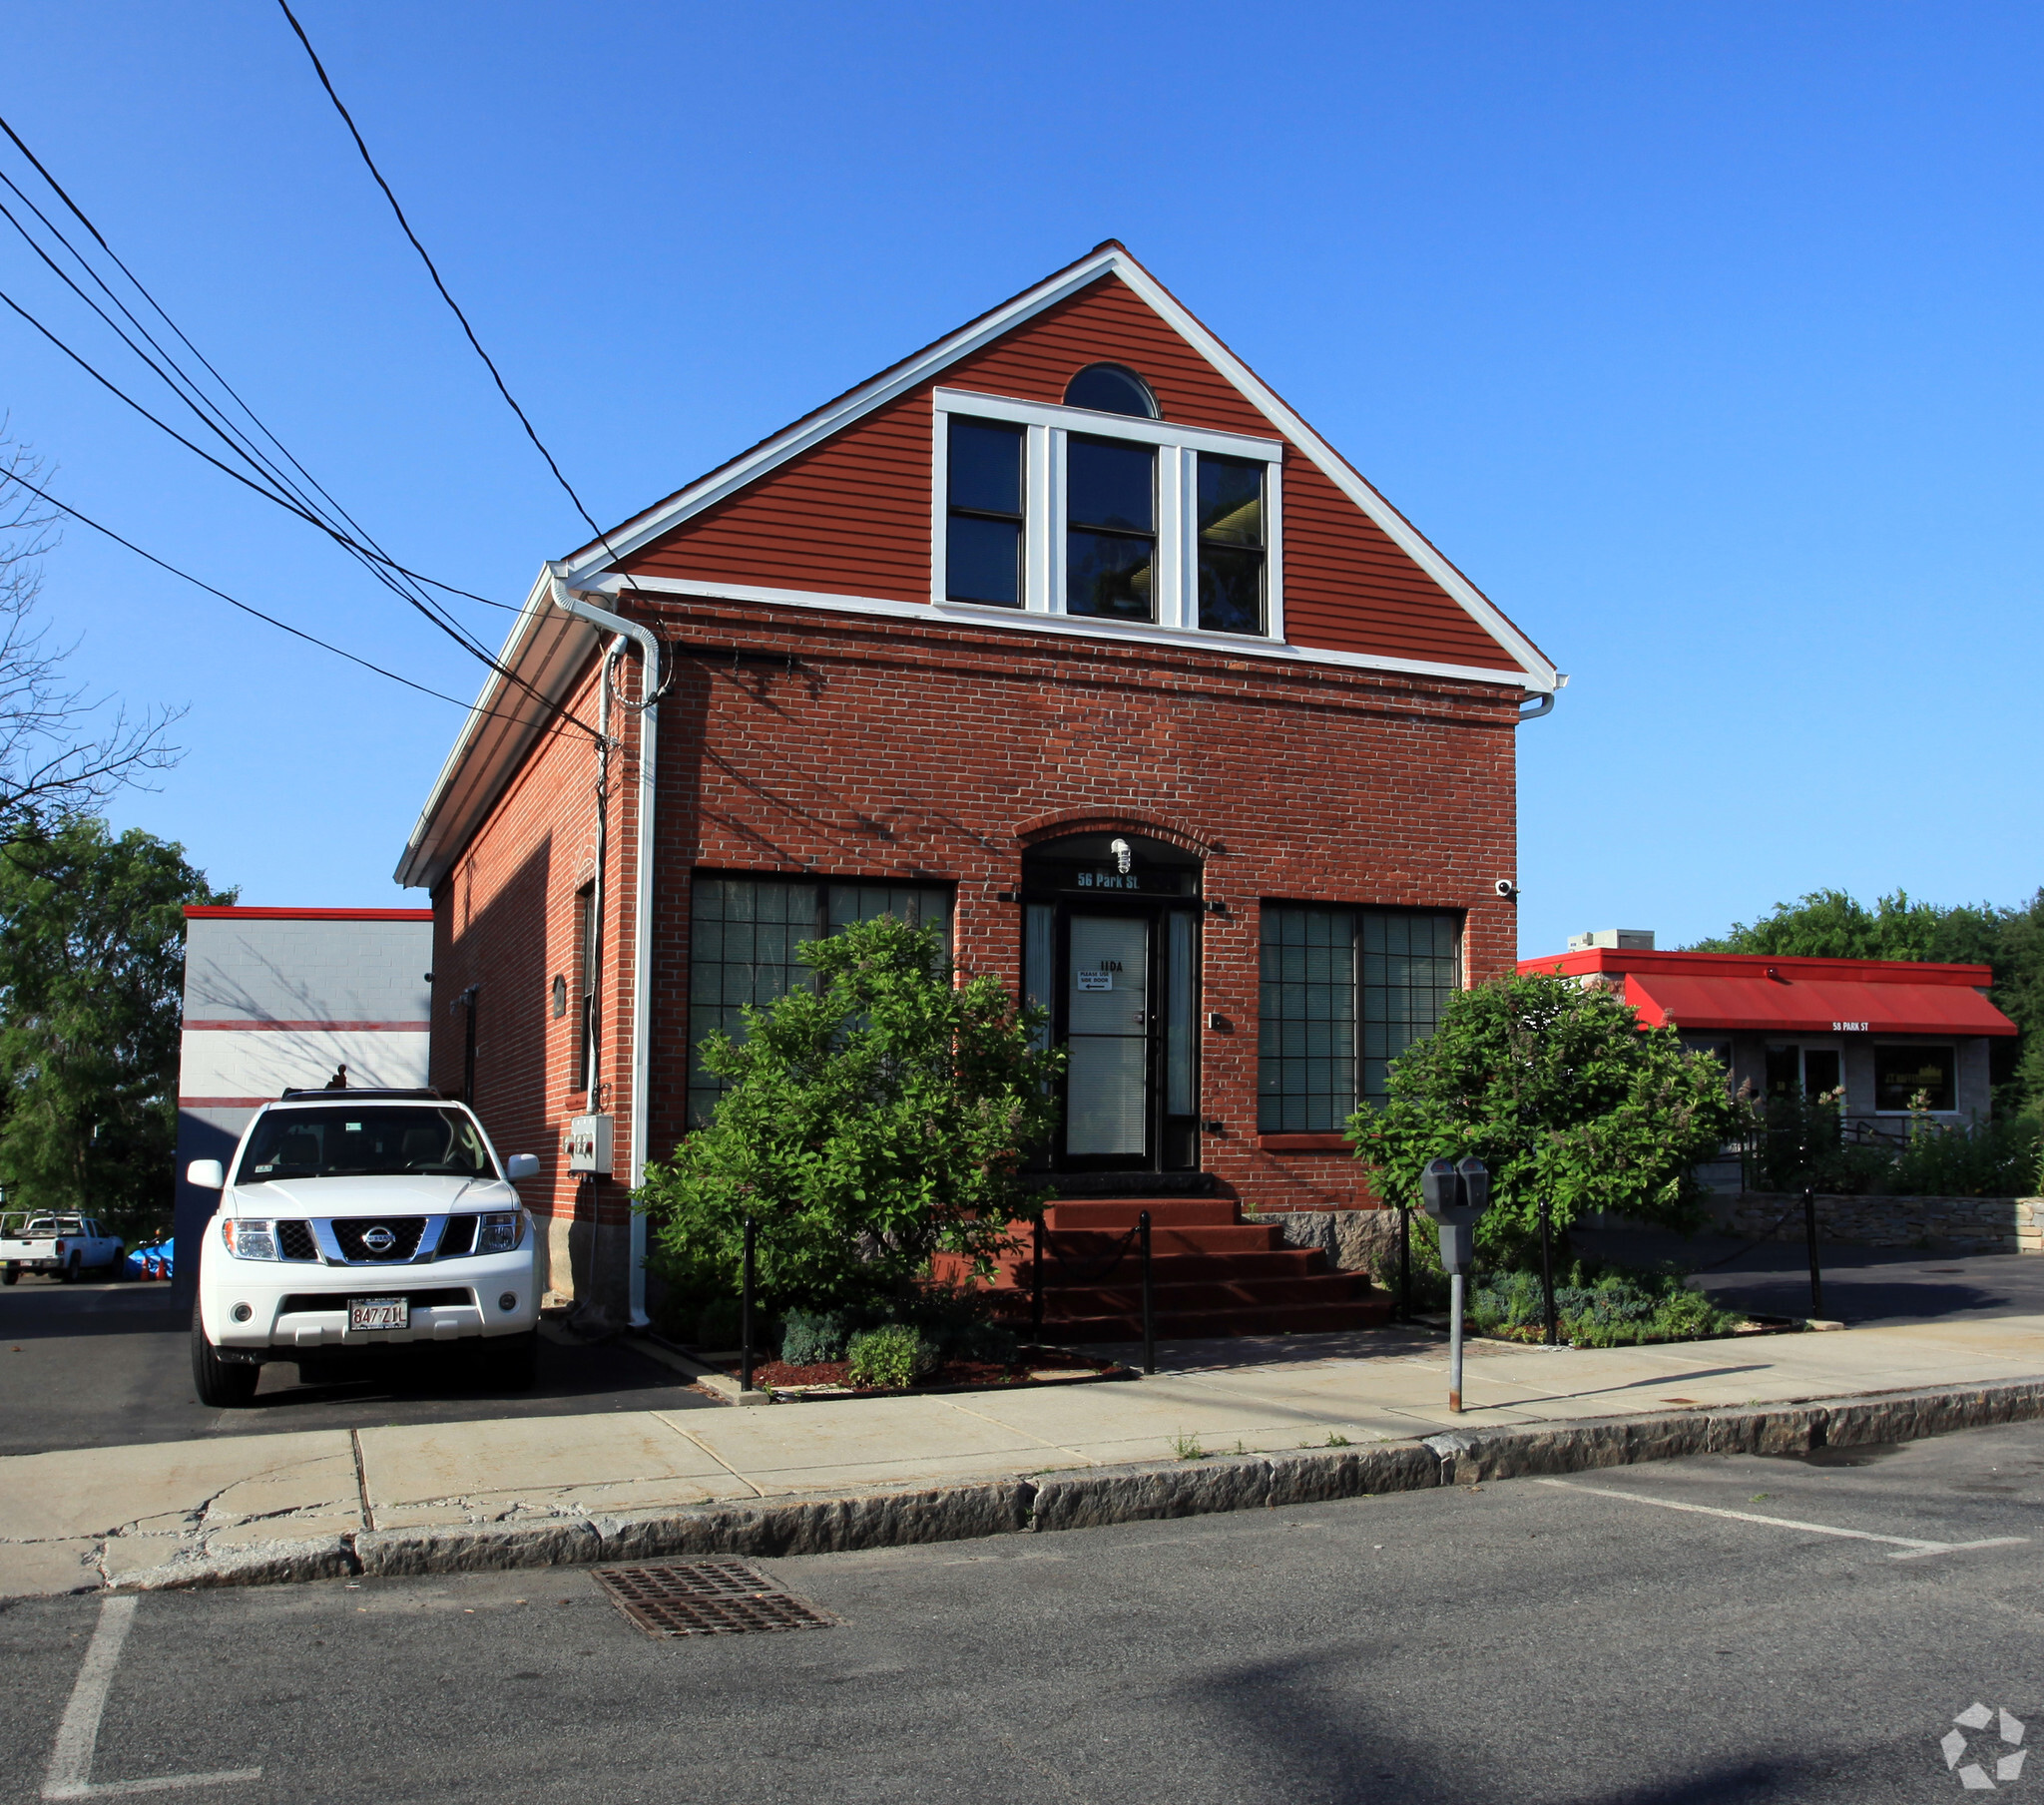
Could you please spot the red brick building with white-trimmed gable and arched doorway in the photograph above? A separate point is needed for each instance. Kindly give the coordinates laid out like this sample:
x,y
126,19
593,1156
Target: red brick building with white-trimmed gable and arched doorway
x,y
1064,631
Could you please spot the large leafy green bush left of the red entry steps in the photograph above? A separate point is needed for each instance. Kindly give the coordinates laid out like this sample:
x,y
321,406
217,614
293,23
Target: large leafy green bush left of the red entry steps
x,y
870,1123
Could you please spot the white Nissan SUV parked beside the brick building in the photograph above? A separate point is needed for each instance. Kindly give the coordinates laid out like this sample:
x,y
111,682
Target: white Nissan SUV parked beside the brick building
x,y
361,1221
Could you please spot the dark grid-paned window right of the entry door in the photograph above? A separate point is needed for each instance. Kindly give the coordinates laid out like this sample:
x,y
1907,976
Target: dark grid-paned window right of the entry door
x,y
1344,994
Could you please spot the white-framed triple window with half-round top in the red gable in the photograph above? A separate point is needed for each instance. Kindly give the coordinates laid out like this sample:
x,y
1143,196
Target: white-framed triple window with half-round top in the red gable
x,y
1121,522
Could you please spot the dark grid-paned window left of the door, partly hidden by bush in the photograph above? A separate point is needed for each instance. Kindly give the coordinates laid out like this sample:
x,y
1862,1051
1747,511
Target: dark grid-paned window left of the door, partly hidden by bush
x,y
743,941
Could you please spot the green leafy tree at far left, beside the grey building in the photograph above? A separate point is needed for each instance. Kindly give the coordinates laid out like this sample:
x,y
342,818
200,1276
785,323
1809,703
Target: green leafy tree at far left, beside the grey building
x,y
91,994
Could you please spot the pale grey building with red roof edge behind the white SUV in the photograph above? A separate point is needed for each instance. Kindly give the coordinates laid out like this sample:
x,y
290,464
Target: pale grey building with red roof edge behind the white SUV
x,y
285,999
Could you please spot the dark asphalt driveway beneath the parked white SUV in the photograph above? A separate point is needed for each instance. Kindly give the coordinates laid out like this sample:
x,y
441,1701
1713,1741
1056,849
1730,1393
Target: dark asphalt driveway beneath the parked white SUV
x,y
107,1364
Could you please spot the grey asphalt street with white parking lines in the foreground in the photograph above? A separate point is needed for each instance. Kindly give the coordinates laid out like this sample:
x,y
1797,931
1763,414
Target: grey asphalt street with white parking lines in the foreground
x,y
1509,1642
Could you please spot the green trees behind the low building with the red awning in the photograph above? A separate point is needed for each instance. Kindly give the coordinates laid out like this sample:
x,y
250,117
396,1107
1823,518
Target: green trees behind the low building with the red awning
x,y
1832,925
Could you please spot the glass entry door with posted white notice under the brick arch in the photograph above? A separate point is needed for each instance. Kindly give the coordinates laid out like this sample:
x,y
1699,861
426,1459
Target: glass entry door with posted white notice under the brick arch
x,y
1109,1029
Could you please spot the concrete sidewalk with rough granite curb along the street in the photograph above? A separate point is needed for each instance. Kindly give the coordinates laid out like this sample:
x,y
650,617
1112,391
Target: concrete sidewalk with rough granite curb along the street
x,y
547,1489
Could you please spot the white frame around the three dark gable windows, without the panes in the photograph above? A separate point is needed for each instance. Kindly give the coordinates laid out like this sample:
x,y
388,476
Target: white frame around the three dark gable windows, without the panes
x,y
1048,430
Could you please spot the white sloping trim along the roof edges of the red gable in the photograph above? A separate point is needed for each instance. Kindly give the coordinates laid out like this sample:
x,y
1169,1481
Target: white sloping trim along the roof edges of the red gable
x,y
616,549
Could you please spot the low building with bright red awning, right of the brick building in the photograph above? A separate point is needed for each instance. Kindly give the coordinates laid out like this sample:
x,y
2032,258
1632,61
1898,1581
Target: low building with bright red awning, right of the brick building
x,y
1886,1029
